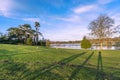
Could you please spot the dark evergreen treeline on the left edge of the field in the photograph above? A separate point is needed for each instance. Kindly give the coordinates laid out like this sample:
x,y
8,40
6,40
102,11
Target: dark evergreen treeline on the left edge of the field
x,y
24,34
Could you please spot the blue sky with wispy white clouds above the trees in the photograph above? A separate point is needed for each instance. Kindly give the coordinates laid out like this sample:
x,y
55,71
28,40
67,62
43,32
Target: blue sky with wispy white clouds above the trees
x,y
60,20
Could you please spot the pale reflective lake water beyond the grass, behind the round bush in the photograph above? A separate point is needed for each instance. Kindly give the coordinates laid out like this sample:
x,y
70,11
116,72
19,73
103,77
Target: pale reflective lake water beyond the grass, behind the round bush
x,y
77,46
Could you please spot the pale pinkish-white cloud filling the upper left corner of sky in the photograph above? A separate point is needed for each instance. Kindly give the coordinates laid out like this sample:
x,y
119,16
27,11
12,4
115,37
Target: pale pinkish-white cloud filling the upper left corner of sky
x,y
11,8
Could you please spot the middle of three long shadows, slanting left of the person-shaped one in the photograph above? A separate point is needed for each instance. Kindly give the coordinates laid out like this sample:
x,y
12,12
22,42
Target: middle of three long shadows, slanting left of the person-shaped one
x,y
76,71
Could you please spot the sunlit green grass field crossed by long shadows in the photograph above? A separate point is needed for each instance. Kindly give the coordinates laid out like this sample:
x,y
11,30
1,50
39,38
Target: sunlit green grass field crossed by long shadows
x,y
19,62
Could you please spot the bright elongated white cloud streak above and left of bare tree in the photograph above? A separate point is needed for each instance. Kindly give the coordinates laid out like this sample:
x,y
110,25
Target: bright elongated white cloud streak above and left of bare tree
x,y
83,9
